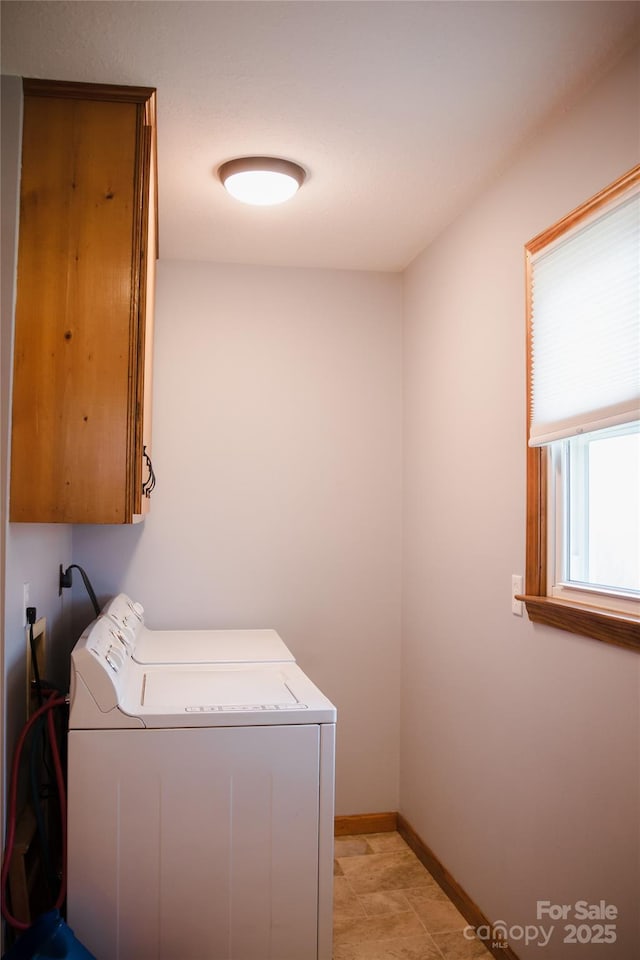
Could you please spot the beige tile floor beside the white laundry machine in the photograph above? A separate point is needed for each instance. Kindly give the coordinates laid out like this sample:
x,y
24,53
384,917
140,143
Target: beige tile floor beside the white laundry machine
x,y
387,906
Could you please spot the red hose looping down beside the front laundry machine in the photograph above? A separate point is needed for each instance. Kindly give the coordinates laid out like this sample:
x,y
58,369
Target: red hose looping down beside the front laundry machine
x,y
55,701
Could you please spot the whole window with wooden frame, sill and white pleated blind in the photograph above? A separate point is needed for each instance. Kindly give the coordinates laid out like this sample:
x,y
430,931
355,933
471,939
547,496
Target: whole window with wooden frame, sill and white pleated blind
x,y
583,468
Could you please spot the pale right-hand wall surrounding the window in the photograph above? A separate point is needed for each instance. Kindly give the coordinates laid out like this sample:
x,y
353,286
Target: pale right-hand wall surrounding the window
x,y
520,745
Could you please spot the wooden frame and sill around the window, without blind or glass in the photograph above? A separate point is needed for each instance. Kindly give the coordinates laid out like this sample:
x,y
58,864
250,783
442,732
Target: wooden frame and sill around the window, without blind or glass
x,y
608,626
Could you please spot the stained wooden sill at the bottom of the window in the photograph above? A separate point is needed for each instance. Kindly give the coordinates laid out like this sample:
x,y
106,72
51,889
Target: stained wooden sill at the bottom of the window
x,y
623,630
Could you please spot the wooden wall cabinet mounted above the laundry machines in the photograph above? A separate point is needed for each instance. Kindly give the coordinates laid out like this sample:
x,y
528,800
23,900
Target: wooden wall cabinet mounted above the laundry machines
x,y
84,309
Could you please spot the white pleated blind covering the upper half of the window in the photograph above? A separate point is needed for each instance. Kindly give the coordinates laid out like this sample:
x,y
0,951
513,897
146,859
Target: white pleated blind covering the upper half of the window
x,y
585,327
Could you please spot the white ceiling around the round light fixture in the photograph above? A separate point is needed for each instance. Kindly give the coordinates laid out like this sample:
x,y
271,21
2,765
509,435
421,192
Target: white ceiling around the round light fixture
x,y
400,111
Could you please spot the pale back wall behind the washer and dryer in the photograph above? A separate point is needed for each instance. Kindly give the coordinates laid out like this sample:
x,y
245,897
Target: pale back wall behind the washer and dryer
x,y
277,413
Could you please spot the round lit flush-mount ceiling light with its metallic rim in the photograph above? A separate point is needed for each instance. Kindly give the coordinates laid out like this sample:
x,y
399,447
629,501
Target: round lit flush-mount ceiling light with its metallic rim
x,y
261,181
